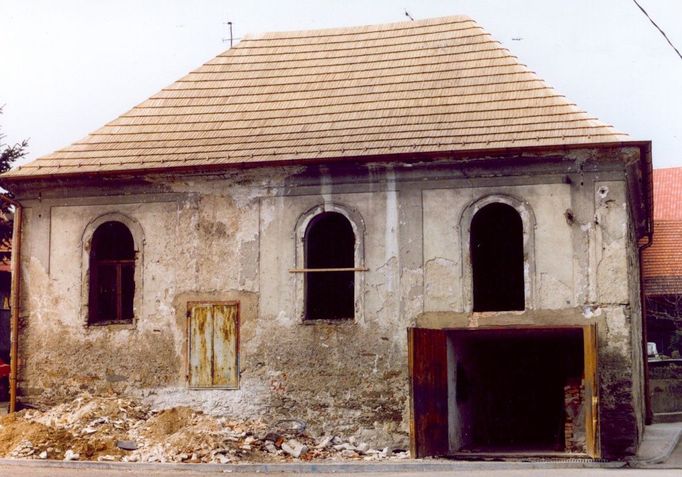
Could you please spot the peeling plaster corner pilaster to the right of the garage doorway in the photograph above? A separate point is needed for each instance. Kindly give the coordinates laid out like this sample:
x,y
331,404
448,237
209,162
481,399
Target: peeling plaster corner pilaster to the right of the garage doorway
x,y
620,333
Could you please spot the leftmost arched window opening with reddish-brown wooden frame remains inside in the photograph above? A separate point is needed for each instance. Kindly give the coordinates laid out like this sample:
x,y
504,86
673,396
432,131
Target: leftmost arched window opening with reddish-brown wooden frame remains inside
x,y
112,274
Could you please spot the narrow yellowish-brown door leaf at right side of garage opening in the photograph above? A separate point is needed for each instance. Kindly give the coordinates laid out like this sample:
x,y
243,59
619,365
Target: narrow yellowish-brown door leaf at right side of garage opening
x,y
591,391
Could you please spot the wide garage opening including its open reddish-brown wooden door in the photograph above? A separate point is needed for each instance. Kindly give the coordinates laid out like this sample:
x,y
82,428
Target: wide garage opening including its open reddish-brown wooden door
x,y
501,391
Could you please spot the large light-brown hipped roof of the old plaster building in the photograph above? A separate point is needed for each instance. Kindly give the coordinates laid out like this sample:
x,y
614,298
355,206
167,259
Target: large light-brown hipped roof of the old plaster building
x,y
429,86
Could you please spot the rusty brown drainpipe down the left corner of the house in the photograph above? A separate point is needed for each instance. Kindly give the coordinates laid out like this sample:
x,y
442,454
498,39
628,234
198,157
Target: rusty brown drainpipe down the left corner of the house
x,y
14,300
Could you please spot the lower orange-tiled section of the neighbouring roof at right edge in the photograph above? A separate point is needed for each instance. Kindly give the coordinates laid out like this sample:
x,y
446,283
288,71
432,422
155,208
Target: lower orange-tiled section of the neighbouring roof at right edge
x,y
662,262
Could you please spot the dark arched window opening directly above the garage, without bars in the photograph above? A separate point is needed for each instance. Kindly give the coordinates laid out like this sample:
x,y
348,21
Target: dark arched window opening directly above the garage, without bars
x,y
497,259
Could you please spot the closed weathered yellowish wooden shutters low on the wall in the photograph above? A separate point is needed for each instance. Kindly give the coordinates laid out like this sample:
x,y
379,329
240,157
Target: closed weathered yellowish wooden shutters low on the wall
x,y
213,331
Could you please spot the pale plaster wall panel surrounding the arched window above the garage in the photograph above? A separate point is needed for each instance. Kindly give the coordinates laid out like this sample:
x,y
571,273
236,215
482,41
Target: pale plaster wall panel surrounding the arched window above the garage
x,y
547,243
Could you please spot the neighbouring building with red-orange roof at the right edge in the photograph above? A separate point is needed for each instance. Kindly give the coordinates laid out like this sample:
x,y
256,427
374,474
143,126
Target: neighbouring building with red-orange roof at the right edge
x,y
662,264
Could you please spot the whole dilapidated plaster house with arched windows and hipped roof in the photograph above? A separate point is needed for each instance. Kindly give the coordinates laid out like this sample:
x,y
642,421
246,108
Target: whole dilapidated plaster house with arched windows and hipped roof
x,y
393,231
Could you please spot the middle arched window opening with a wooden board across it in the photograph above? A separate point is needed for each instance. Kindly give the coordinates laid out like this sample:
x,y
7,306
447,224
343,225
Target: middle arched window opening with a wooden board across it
x,y
329,261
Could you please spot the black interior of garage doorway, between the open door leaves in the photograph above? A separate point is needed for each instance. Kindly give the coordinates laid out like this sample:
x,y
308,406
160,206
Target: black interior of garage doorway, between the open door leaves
x,y
509,388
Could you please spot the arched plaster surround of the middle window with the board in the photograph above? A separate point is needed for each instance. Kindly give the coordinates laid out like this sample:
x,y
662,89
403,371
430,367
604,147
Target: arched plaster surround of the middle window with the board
x,y
358,226
